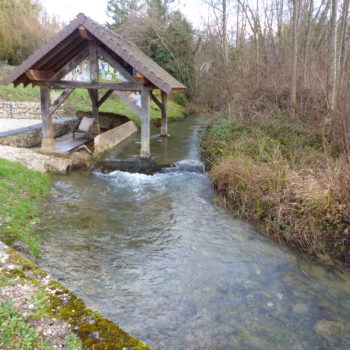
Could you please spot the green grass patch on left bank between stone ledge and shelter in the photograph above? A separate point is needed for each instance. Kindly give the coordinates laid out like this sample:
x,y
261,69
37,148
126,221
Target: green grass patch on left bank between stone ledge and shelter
x,y
20,190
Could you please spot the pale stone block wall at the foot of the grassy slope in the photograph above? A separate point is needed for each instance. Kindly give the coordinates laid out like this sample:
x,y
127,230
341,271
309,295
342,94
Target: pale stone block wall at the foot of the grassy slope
x,y
24,110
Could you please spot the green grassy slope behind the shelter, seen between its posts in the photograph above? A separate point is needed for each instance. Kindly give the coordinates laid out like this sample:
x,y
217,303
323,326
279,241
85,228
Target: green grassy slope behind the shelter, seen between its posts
x,y
79,101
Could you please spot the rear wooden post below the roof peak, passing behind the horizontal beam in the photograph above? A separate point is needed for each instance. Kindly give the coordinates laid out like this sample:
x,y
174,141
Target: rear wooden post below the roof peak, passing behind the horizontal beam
x,y
94,70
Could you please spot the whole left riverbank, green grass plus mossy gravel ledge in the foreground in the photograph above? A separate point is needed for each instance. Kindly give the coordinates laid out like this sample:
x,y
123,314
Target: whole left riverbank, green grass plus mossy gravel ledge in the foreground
x,y
36,312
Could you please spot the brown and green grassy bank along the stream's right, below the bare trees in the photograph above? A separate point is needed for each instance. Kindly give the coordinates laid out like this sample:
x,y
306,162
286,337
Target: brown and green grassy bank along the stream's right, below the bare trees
x,y
283,177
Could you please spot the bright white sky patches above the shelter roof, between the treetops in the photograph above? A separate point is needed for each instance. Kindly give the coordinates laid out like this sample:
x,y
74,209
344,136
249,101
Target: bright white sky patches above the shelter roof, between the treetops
x,y
66,10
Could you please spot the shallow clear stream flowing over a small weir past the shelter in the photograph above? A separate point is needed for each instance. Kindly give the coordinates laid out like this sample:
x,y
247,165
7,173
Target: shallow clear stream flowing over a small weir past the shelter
x,y
154,254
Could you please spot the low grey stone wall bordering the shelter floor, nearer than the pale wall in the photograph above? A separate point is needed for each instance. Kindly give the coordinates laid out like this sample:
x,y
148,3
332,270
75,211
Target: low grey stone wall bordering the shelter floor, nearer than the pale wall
x,y
31,136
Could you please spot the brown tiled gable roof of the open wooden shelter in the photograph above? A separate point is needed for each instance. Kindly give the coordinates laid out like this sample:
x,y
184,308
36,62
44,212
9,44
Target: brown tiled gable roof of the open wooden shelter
x,y
54,54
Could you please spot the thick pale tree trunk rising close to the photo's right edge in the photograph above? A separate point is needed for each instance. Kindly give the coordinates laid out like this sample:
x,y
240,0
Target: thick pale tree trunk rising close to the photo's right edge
x,y
332,73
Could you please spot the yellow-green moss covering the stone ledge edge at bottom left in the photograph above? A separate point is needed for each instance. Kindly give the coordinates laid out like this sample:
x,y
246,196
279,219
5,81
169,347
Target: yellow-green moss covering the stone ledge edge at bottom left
x,y
95,331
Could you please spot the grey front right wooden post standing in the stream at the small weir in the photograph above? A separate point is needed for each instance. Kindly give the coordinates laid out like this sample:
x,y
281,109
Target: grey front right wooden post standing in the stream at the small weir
x,y
145,123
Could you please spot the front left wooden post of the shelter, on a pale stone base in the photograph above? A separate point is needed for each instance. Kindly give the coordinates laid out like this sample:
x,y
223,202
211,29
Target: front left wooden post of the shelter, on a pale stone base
x,y
48,142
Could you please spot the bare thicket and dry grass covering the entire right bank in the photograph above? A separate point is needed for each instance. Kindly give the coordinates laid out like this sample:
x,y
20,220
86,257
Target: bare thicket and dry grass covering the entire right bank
x,y
278,148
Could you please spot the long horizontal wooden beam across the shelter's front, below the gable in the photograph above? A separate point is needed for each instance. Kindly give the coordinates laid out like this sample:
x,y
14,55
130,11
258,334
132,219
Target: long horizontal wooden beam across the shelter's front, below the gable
x,y
62,84
